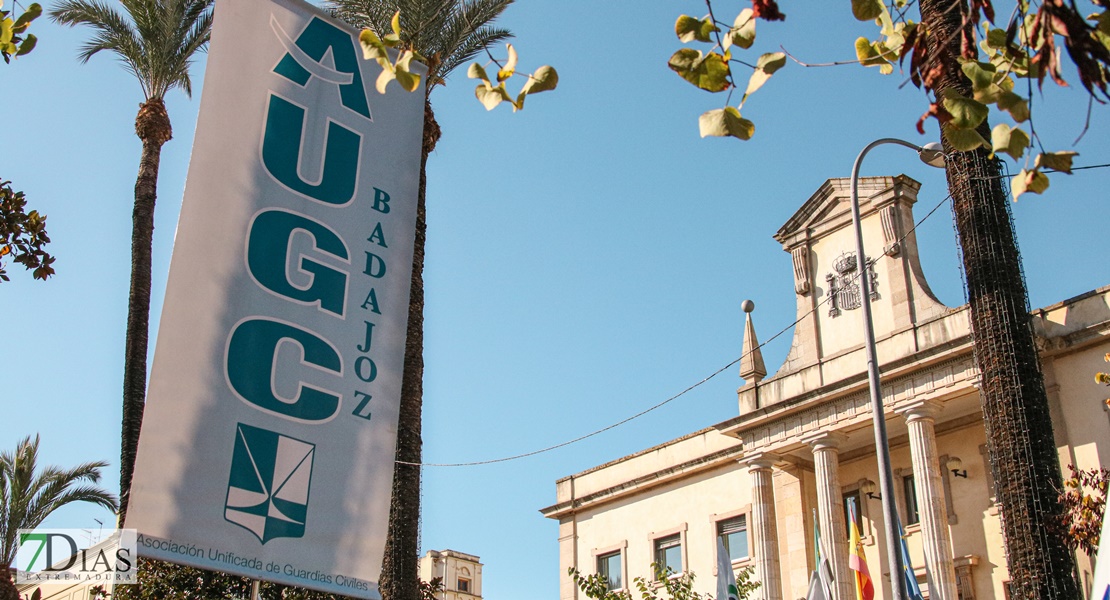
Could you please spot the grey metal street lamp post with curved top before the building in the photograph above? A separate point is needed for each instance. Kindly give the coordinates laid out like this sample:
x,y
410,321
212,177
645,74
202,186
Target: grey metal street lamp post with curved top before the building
x,y
932,156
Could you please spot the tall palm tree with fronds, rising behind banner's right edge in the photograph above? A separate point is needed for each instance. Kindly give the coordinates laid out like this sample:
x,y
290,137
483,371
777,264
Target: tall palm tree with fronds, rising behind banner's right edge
x,y
449,34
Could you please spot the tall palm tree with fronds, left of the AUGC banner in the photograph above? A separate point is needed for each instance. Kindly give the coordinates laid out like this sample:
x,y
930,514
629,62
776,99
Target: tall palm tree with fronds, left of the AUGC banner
x,y
157,40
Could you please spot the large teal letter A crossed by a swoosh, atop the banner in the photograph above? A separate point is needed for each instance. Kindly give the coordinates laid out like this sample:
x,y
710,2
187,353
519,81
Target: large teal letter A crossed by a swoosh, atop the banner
x,y
318,38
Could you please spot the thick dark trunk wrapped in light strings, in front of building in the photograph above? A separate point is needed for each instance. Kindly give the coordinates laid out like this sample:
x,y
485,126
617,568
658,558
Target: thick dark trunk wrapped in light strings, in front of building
x,y
1016,412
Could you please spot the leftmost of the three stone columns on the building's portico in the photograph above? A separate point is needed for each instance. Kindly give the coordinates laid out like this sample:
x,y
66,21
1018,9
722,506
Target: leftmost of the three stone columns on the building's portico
x,y
764,531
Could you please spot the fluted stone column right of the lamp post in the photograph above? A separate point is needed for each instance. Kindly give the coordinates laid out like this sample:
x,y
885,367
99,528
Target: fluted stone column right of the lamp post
x,y
937,542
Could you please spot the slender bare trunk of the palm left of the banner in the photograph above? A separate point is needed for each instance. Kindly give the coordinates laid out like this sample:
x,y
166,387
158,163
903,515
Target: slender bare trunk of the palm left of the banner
x,y
153,126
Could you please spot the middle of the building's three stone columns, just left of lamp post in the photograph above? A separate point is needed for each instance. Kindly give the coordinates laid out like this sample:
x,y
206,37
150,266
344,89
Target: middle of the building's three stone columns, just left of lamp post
x,y
831,510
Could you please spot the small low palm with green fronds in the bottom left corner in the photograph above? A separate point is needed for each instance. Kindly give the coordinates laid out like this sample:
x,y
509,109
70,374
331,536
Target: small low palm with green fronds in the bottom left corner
x,y
27,499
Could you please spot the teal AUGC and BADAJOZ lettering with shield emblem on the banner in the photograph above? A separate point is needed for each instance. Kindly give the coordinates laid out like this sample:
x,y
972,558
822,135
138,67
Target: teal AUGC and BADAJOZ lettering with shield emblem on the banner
x,y
268,489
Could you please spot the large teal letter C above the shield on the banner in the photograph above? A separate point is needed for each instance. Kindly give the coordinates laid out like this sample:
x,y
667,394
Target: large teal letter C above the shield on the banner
x,y
250,363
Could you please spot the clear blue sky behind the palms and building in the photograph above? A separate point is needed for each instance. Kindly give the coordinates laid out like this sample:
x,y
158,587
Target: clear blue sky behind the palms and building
x,y
587,258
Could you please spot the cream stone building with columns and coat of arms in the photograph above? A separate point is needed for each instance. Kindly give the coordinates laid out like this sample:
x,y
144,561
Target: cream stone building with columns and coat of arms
x,y
803,443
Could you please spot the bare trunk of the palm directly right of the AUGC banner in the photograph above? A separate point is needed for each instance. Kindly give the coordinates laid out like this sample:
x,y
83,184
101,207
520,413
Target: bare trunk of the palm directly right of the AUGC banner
x,y
400,578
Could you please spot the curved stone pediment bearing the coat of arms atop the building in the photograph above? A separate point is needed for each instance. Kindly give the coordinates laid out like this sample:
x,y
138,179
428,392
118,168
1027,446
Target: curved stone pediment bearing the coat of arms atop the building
x,y
829,338
